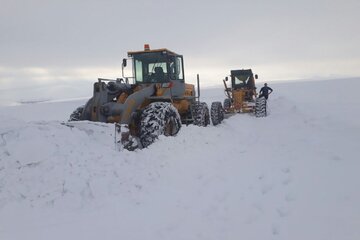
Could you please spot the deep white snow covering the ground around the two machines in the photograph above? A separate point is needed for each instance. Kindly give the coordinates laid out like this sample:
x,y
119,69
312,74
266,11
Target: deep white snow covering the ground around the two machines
x,y
292,175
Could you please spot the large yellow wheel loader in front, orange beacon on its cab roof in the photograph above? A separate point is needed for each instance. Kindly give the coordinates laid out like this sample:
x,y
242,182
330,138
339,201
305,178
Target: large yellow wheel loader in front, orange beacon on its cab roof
x,y
157,101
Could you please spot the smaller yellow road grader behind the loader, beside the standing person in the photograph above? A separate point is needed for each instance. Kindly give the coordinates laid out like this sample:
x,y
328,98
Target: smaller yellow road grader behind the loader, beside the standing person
x,y
241,97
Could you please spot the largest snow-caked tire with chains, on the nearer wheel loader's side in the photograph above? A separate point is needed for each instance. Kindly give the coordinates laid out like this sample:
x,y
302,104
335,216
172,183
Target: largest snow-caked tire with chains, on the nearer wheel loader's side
x,y
156,119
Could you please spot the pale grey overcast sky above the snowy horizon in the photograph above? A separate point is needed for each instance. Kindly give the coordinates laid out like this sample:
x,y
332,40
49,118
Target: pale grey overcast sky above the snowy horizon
x,y
44,41
